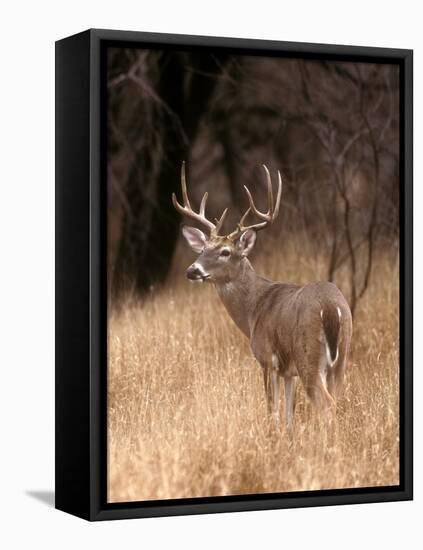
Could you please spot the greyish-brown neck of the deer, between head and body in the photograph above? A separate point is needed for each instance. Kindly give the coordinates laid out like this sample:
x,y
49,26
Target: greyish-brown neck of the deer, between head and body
x,y
240,295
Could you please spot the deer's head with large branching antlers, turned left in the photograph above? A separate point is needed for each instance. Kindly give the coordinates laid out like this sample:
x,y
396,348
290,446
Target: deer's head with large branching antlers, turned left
x,y
220,256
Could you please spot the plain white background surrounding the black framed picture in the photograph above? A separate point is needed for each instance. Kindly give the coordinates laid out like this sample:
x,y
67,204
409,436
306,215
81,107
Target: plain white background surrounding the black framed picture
x,y
27,36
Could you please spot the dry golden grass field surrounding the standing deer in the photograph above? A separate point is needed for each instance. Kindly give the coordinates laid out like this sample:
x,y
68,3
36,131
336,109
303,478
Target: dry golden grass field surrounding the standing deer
x,y
186,406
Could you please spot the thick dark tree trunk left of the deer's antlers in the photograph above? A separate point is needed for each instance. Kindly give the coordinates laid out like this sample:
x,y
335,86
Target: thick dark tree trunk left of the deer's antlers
x,y
150,229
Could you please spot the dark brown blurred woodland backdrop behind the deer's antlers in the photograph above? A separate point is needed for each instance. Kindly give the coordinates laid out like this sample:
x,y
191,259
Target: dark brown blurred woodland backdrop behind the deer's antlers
x,y
331,127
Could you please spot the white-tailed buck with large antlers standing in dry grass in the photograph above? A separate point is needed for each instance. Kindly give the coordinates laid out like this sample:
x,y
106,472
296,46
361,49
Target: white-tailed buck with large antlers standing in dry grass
x,y
294,331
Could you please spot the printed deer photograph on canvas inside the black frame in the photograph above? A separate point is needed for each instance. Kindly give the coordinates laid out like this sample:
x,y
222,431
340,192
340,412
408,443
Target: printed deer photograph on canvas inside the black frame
x,y
252,273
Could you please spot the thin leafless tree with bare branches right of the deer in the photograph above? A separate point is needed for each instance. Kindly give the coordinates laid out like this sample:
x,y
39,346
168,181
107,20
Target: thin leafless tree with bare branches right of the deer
x,y
353,151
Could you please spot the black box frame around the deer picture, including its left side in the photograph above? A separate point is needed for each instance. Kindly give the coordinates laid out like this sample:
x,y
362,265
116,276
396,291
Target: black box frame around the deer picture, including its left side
x,y
81,279
